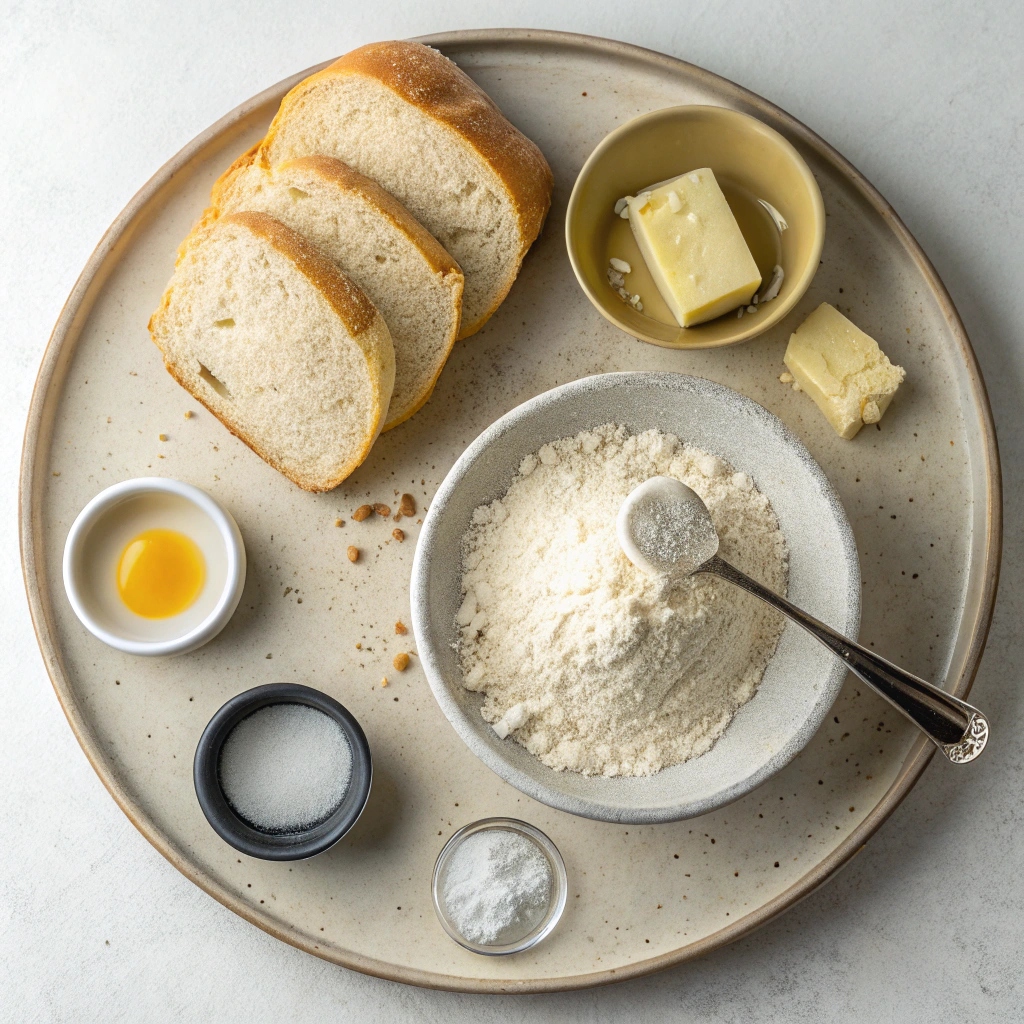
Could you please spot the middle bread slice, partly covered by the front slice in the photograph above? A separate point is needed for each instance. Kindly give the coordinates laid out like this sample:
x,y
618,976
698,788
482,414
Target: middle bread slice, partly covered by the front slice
x,y
376,242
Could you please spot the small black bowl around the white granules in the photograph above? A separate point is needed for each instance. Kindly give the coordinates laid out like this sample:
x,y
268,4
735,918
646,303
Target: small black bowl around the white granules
x,y
239,833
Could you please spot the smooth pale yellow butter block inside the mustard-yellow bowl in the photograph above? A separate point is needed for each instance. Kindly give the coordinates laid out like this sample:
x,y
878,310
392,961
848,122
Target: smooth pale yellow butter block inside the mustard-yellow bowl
x,y
694,247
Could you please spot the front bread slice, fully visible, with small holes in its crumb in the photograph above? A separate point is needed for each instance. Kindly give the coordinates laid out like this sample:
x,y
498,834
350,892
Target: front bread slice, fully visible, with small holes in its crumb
x,y
280,346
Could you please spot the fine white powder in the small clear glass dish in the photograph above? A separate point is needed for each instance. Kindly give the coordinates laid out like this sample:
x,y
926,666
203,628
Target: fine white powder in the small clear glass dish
x,y
498,887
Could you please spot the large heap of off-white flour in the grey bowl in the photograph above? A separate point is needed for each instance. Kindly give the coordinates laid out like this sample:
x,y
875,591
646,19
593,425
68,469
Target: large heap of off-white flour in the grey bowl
x,y
590,664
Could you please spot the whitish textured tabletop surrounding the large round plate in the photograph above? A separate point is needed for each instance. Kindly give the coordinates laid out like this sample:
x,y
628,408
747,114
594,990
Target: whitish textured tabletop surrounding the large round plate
x,y
927,99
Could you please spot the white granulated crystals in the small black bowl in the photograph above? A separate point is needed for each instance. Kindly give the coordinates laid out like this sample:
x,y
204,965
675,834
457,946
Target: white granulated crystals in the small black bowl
x,y
286,767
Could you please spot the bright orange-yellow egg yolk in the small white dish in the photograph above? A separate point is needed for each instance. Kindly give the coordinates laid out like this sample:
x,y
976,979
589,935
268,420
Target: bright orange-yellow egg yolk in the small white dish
x,y
160,574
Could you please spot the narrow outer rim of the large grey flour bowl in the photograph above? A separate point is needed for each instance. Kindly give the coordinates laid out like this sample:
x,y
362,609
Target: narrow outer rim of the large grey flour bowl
x,y
423,566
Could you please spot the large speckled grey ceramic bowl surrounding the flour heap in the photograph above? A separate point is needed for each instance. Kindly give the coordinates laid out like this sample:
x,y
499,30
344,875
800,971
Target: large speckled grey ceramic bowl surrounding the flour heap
x,y
802,679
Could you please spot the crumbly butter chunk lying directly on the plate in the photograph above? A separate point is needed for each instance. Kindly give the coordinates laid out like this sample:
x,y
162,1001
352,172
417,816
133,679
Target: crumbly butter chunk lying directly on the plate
x,y
843,370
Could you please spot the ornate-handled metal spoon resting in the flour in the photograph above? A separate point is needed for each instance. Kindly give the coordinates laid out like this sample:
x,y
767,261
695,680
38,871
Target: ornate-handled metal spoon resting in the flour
x,y
665,530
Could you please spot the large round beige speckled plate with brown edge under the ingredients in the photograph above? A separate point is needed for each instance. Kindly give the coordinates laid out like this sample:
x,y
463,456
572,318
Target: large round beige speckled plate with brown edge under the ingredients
x,y
923,496
